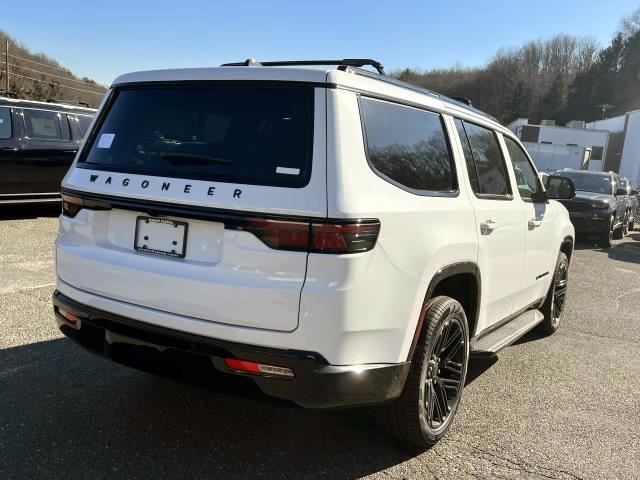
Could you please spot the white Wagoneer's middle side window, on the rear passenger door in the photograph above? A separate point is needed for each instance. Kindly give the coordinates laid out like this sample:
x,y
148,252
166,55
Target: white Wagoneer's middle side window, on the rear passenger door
x,y
485,164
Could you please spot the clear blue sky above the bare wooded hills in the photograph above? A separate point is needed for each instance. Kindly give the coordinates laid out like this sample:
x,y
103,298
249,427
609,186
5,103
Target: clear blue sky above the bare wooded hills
x,y
101,40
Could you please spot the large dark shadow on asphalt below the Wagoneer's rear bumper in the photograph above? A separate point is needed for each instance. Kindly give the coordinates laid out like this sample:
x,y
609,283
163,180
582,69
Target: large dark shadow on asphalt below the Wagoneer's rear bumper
x,y
67,413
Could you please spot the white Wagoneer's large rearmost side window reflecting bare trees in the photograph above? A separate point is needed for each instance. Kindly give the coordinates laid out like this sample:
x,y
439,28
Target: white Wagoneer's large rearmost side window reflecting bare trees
x,y
407,146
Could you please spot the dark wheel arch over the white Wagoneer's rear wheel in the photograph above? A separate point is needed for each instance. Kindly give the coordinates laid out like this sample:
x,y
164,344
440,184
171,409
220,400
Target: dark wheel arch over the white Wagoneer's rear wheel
x,y
461,281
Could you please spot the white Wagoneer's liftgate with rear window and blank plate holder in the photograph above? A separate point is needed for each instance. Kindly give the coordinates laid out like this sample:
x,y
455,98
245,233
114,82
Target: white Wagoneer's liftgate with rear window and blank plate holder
x,y
235,167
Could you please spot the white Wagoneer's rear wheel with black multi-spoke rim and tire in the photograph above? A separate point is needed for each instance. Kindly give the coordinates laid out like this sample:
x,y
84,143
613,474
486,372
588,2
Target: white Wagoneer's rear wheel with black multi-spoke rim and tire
x,y
412,418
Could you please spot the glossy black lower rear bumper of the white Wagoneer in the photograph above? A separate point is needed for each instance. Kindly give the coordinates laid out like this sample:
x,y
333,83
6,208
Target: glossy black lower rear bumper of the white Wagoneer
x,y
316,384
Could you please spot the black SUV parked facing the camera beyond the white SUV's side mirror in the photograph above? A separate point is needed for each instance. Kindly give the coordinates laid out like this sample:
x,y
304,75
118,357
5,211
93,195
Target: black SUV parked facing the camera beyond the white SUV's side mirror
x,y
600,208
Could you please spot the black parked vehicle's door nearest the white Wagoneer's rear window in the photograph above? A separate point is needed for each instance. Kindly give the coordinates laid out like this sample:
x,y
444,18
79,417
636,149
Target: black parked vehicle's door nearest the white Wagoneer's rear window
x,y
47,152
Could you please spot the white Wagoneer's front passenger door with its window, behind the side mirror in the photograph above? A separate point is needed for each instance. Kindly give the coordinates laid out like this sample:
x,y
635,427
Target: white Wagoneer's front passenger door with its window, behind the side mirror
x,y
539,226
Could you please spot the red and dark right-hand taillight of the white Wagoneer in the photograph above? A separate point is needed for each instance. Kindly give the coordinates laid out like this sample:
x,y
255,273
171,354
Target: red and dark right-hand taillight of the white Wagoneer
x,y
339,237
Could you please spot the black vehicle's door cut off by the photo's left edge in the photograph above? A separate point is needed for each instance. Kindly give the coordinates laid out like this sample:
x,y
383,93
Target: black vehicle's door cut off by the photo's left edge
x,y
10,175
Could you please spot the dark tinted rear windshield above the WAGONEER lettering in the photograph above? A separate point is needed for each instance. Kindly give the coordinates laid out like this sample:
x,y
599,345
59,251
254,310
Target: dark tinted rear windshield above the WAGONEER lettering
x,y
253,135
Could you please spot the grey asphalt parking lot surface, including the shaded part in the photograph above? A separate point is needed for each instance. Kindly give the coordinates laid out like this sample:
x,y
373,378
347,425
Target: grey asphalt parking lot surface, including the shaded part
x,y
564,407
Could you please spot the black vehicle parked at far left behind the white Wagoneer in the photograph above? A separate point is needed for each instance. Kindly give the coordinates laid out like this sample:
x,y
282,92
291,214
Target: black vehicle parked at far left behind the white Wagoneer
x,y
38,141
